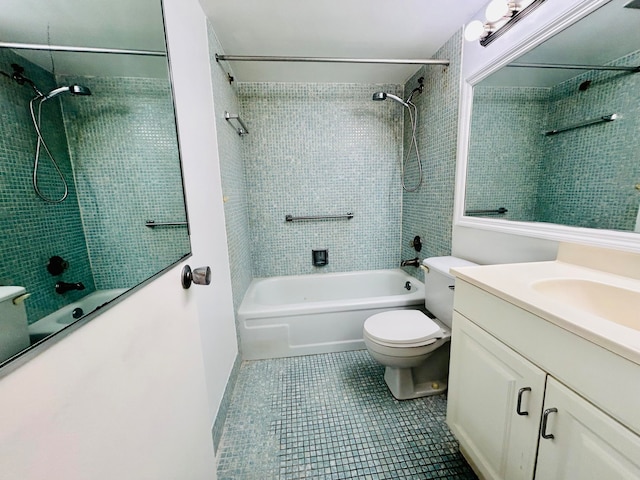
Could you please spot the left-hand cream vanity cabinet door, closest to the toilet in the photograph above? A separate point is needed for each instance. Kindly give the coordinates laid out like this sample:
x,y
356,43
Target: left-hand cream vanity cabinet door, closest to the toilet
x,y
494,403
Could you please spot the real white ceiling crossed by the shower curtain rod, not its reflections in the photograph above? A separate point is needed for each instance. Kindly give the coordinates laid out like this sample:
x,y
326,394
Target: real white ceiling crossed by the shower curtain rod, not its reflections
x,y
334,28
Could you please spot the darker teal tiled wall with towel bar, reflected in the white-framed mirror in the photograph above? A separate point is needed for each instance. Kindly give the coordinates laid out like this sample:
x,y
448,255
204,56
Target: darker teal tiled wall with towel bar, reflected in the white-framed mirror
x,y
589,174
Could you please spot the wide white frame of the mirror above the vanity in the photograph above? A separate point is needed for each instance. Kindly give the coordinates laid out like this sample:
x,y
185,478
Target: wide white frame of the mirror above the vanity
x,y
478,63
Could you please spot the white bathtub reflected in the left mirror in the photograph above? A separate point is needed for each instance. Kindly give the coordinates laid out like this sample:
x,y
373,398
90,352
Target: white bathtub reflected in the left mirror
x,y
61,318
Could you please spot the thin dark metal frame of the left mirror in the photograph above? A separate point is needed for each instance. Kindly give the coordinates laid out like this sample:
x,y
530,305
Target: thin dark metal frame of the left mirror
x,y
19,359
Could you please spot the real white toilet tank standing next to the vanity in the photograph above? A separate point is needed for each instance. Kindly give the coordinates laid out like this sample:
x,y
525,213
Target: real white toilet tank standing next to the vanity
x,y
438,286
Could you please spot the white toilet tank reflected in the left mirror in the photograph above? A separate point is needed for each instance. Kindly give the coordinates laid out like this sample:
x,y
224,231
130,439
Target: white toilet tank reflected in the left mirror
x,y
13,322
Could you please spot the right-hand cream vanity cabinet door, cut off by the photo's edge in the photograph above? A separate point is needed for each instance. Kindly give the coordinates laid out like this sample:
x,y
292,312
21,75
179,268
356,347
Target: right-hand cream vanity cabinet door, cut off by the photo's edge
x,y
587,443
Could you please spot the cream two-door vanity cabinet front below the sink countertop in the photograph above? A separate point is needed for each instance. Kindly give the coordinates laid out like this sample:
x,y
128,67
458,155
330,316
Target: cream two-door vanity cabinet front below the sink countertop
x,y
512,411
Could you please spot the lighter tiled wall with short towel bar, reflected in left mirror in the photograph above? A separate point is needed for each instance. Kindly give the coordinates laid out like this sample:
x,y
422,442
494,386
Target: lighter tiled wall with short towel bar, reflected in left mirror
x,y
123,145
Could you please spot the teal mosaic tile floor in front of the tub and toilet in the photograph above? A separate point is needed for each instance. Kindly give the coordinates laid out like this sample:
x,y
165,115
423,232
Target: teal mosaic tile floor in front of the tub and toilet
x,y
331,417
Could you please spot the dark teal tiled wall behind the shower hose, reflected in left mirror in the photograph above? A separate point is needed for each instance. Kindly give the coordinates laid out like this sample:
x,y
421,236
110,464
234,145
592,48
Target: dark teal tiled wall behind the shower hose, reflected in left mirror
x,y
30,237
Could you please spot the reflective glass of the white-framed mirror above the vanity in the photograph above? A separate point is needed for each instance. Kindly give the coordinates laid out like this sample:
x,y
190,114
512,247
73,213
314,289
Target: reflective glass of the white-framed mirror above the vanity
x,y
559,145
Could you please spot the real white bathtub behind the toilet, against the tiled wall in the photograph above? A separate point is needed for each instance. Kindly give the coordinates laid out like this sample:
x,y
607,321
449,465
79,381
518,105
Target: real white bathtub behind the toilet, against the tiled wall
x,y
321,313
